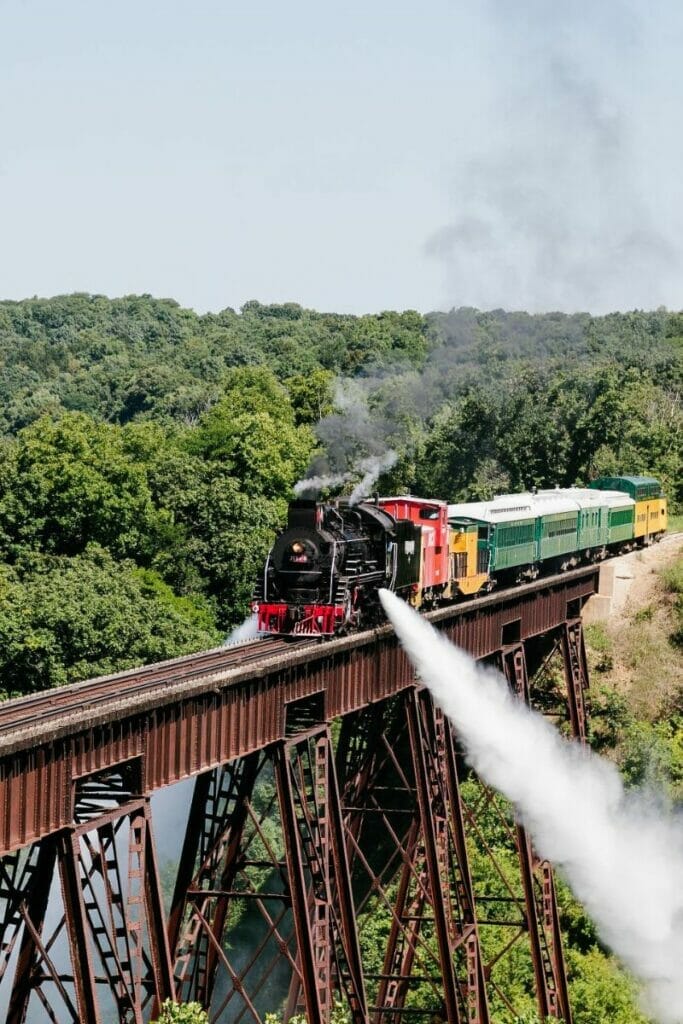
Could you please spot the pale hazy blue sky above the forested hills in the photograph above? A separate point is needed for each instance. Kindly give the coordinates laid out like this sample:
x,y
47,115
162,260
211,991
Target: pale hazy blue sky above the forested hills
x,y
526,154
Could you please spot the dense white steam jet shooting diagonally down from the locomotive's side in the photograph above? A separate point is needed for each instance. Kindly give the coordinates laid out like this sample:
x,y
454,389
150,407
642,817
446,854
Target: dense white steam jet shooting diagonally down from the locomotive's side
x,y
621,852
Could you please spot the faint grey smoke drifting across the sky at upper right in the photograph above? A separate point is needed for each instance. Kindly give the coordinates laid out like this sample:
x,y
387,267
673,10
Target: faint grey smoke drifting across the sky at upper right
x,y
560,208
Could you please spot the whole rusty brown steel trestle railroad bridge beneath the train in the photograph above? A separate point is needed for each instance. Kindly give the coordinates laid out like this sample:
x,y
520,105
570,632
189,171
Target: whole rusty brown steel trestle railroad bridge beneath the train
x,y
332,860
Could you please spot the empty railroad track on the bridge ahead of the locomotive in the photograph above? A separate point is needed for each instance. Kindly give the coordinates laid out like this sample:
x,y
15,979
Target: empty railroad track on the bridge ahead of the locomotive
x,y
94,694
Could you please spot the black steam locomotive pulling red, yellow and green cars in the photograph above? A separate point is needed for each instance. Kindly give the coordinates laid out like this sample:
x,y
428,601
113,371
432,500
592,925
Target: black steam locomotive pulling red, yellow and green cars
x,y
325,571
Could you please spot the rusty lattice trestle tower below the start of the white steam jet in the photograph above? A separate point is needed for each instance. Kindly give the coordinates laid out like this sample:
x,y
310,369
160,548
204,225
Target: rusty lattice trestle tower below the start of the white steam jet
x,y
414,857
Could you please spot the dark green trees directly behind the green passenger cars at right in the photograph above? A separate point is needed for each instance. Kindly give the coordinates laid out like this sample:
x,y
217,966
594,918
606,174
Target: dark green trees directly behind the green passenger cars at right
x,y
546,429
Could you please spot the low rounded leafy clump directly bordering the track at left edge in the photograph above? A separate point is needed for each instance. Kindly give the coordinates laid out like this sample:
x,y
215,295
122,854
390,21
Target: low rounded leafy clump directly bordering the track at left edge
x,y
66,619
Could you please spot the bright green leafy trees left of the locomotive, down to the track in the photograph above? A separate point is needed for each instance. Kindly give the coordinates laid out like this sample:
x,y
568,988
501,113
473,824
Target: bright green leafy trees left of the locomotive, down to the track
x,y
124,545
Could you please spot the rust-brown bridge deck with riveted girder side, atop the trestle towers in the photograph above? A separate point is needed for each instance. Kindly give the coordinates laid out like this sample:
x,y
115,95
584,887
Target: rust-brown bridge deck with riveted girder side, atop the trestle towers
x,y
184,717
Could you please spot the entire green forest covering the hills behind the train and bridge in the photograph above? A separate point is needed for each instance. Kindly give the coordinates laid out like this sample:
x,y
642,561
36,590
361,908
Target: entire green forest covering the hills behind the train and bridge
x,y
148,455
